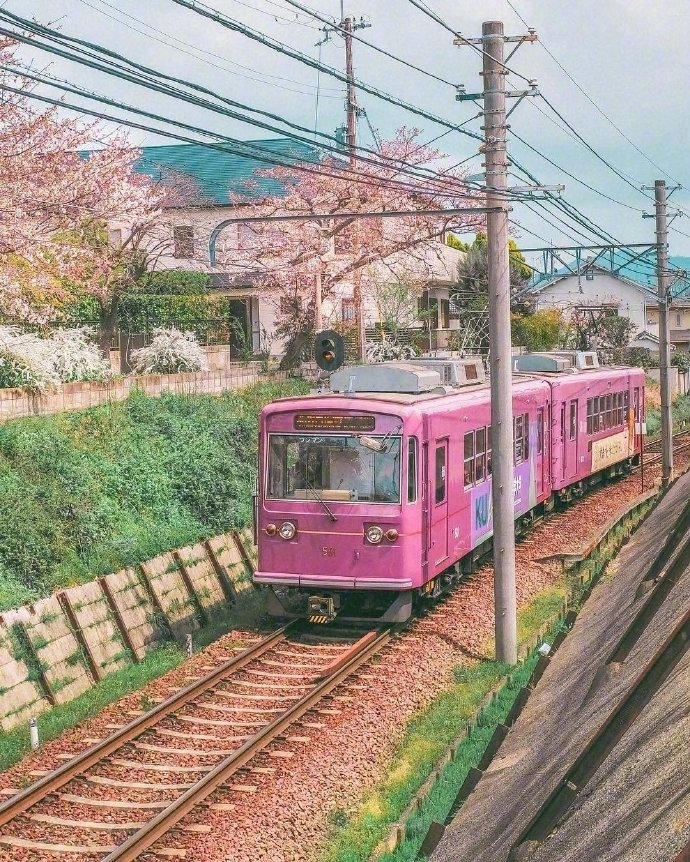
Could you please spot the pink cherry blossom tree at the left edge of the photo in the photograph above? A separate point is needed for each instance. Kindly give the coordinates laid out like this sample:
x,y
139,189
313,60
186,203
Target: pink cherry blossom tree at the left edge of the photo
x,y
58,205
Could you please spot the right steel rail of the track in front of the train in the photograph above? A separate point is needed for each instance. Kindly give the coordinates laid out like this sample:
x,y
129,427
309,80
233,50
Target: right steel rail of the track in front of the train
x,y
140,841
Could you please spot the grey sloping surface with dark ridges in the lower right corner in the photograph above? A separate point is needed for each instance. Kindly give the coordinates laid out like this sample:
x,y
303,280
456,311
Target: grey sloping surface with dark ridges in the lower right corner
x,y
636,806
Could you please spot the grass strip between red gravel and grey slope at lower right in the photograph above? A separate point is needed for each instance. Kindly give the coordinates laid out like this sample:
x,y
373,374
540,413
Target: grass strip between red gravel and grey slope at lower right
x,y
426,739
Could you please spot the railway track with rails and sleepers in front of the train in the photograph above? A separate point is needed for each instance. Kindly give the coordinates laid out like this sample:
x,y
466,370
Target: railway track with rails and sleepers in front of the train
x,y
138,784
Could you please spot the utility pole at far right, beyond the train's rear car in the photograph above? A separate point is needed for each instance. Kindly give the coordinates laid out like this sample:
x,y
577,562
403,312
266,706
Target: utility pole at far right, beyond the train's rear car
x,y
664,335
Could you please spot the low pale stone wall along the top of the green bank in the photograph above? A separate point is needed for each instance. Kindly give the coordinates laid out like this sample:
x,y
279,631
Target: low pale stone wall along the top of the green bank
x,y
15,403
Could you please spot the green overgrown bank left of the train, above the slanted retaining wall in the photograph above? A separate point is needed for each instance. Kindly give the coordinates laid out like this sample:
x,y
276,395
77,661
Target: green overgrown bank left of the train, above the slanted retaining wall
x,y
87,493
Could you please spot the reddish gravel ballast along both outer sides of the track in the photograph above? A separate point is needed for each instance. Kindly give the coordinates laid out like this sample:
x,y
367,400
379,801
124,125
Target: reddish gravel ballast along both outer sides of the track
x,y
282,815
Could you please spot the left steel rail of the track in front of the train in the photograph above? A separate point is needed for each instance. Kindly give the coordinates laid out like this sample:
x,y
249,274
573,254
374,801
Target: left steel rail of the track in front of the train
x,y
58,778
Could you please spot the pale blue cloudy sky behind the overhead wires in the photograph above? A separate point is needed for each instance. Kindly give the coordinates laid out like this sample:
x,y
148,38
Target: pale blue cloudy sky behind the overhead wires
x,y
616,71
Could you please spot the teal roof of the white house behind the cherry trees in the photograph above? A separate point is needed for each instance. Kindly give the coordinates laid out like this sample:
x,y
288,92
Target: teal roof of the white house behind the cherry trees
x,y
220,169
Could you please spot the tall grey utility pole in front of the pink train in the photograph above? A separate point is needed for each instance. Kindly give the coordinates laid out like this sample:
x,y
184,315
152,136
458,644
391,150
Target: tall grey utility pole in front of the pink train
x,y
503,495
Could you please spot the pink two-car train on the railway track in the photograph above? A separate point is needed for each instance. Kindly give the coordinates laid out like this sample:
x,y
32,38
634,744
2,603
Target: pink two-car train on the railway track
x,y
378,493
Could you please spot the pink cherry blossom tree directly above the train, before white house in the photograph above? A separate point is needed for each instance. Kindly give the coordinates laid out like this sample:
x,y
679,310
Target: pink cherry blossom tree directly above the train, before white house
x,y
293,257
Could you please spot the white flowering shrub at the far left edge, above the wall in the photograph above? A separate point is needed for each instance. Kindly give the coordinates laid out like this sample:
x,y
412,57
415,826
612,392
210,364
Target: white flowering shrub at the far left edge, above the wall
x,y
25,361
